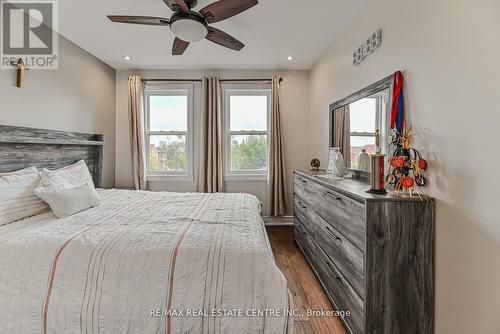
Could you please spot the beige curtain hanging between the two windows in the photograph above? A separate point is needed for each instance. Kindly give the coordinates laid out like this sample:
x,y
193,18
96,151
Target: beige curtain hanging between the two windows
x,y
211,173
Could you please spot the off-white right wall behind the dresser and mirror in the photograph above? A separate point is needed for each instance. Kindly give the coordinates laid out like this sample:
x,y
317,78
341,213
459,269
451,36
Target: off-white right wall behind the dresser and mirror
x,y
450,53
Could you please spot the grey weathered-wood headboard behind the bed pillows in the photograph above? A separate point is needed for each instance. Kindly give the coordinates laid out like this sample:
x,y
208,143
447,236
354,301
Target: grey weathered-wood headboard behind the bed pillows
x,y
22,147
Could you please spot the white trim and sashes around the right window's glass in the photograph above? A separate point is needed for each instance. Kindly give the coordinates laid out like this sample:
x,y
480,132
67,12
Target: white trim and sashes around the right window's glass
x,y
244,89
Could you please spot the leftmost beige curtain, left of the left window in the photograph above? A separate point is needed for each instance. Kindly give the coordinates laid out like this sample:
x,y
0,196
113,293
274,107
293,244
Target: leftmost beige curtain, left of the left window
x,y
137,131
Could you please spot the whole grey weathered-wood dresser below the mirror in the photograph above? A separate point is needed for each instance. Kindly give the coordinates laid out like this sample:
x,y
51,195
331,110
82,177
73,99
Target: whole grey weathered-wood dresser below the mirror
x,y
374,255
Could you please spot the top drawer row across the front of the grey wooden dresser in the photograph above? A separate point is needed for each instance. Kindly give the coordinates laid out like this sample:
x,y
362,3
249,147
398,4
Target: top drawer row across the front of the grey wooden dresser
x,y
340,211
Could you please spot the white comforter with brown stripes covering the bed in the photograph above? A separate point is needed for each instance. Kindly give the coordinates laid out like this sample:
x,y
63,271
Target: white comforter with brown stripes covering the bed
x,y
144,262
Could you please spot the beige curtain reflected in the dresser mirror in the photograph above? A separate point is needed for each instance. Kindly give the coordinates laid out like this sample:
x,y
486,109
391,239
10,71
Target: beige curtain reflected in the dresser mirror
x,y
342,134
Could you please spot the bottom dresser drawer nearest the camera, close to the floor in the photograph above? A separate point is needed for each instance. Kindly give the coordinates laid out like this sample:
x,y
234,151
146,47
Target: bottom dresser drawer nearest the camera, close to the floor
x,y
341,292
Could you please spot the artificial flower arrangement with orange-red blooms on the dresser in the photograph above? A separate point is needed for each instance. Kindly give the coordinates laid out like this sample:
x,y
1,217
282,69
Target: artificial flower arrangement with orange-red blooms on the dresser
x,y
406,166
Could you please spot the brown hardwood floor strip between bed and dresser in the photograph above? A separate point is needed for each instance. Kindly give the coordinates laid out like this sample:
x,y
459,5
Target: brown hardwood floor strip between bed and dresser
x,y
303,284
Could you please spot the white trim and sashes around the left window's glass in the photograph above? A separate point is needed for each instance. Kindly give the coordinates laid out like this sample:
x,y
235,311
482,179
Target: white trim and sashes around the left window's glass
x,y
168,89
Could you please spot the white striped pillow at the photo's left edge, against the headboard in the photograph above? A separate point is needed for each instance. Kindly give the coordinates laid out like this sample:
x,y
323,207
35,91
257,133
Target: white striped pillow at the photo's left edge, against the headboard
x,y
17,198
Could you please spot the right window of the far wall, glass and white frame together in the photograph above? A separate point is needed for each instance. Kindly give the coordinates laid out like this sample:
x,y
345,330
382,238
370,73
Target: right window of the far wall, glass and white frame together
x,y
246,110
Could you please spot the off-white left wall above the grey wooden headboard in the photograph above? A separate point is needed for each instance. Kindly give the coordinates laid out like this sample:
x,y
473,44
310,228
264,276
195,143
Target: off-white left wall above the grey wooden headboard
x,y
79,96
